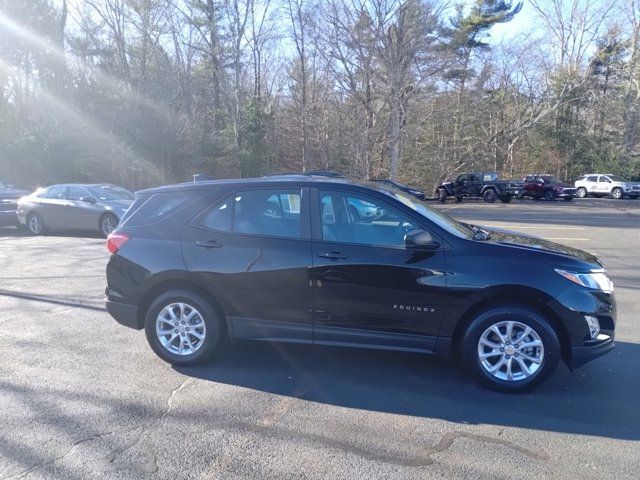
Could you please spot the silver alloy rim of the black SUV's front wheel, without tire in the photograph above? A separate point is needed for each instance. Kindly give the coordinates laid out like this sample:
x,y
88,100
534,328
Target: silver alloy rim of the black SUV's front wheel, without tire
x,y
510,351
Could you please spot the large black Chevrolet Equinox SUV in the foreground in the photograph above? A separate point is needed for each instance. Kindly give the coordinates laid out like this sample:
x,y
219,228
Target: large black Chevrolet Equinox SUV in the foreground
x,y
287,259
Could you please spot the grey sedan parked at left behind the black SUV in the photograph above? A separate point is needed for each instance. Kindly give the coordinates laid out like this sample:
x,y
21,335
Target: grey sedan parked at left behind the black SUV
x,y
74,207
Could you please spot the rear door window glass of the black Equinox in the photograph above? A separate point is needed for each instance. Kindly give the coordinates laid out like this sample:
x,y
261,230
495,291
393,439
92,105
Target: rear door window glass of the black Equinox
x,y
268,212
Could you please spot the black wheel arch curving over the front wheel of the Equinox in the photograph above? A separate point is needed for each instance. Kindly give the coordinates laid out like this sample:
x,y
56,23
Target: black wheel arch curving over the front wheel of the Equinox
x,y
512,295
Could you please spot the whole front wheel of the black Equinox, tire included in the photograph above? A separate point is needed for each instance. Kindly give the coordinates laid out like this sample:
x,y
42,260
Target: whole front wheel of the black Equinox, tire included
x,y
524,372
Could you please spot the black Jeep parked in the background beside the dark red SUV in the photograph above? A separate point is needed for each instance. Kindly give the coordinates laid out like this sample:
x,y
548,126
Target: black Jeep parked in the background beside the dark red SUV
x,y
477,184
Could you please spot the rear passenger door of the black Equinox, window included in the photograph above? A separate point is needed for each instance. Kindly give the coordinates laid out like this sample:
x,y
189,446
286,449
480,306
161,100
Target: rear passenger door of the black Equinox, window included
x,y
252,251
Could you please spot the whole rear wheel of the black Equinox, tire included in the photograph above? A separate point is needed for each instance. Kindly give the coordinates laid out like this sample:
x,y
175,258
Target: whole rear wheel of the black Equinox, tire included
x,y
210,327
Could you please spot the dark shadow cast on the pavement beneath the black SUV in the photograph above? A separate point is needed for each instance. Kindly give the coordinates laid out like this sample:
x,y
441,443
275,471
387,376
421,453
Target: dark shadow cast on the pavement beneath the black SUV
x,y
599,399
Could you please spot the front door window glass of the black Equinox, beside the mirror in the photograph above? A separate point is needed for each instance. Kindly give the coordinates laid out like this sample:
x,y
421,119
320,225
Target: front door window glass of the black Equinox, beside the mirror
x,y
352,218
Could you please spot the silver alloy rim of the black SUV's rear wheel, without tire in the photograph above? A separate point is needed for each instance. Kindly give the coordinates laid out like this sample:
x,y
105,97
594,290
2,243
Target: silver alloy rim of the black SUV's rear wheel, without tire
x,y
180,329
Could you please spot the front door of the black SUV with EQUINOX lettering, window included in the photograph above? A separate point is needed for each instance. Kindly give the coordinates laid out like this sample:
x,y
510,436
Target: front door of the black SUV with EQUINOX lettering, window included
x,y
369,289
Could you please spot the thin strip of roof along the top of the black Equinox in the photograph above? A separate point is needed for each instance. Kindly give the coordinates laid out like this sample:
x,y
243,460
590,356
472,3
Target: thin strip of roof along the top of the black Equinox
x,y
273,180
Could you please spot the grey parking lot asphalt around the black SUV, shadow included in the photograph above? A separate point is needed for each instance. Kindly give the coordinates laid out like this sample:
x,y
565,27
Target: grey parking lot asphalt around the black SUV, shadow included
x,y
83,397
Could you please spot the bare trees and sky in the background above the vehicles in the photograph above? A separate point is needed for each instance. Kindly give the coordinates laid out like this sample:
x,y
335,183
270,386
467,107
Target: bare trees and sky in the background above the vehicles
x,y
146,92
